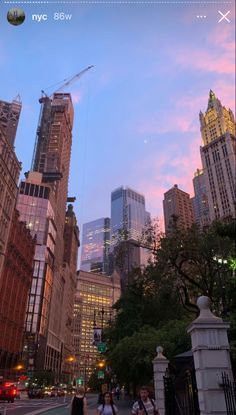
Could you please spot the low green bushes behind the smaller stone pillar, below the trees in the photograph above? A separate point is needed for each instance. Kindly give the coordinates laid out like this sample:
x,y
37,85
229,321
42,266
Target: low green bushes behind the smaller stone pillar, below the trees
x,y
132,357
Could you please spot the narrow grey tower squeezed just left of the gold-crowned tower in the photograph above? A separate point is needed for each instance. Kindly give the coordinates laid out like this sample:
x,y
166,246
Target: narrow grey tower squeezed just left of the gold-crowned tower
x,y
200,201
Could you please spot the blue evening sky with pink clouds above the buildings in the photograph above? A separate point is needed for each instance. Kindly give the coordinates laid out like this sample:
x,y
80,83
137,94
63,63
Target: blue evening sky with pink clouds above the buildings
x,y
137,111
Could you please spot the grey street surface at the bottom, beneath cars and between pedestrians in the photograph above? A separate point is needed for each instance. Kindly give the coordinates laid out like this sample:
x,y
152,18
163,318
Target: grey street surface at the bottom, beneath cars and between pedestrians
x,y
55,406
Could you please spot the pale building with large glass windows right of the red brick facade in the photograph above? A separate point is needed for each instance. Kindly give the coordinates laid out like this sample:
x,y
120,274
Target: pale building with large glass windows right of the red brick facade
x,y
36,207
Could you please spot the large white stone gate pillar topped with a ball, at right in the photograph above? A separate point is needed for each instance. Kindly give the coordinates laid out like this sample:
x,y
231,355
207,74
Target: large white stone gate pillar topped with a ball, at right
x,y
210,348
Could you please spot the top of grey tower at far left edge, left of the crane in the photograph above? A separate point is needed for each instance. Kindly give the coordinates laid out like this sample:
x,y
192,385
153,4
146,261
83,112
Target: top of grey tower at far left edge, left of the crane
x,y
9,118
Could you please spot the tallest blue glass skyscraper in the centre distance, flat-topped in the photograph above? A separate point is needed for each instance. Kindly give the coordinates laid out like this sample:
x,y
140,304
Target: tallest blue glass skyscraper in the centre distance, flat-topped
x,y
128,220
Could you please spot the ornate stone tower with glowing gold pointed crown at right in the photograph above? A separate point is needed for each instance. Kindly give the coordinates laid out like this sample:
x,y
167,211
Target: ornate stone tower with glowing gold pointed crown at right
x,y
218,157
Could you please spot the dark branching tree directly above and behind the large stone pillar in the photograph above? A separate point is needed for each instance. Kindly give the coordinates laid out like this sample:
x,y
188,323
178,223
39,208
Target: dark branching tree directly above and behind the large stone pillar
x,y
197,262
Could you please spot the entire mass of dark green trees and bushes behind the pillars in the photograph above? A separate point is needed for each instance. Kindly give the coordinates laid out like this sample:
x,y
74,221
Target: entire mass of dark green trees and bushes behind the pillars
x,y
161,301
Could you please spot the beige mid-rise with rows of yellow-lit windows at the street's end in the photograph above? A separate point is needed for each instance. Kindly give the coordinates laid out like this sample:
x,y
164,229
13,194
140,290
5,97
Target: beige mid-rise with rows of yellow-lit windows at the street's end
x,y
95,295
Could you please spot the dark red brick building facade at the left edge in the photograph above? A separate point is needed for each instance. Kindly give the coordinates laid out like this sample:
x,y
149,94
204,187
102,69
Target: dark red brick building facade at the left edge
x,y
15,283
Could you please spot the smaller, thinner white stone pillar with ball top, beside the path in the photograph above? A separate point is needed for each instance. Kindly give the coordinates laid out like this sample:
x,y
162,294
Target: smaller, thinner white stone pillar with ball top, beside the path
x,y
160,365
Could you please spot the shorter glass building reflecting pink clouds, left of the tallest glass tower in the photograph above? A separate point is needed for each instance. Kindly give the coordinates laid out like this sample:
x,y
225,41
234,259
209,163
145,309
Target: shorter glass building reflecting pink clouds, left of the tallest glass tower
x,y
95,246
